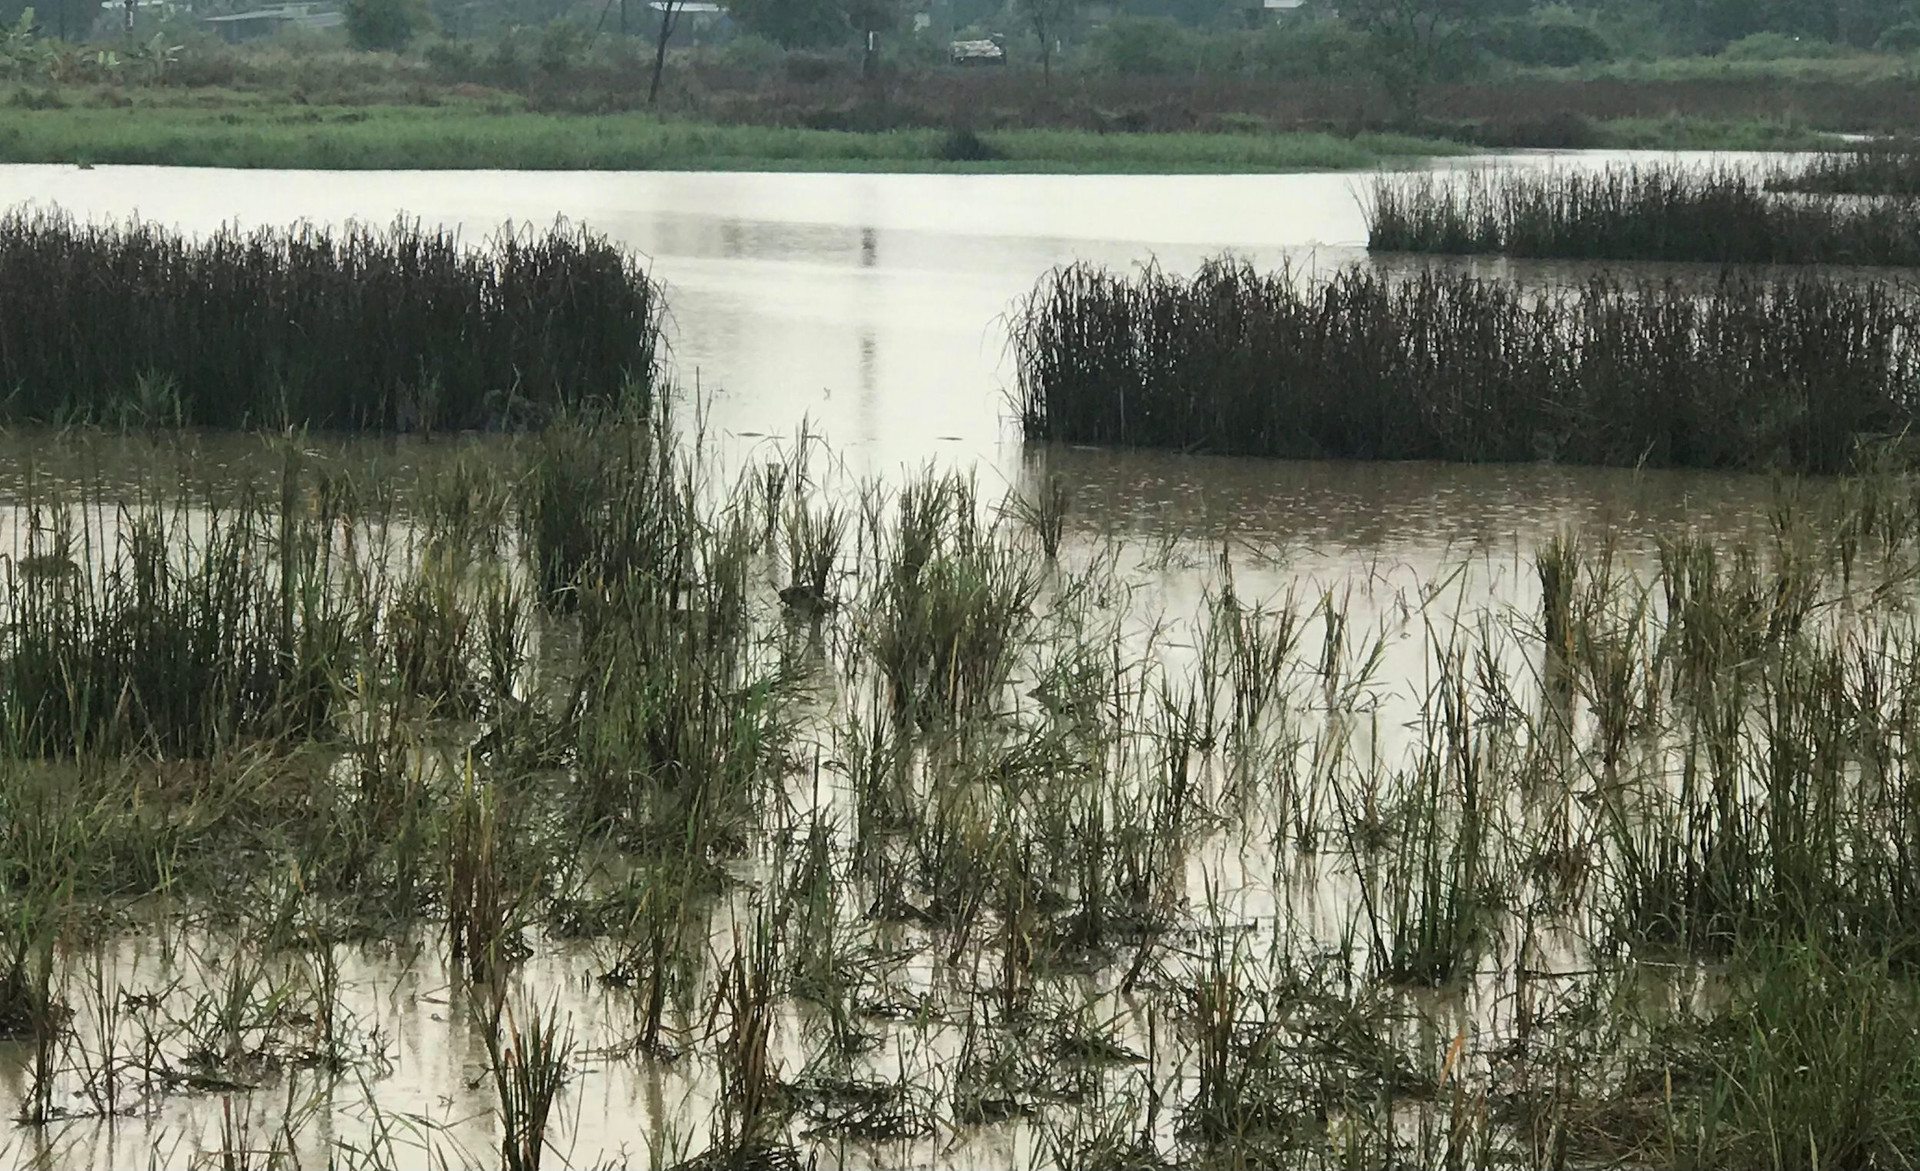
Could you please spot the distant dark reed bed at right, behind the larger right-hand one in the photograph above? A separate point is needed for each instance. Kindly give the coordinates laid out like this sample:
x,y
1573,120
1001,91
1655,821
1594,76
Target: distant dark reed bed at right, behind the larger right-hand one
x,y
1637,214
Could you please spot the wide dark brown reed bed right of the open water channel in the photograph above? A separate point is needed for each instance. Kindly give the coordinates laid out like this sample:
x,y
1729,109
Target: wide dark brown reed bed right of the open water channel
x,y
1445,366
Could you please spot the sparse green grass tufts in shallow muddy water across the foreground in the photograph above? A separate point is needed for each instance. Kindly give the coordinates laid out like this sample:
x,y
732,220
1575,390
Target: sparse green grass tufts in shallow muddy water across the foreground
x,y
878,826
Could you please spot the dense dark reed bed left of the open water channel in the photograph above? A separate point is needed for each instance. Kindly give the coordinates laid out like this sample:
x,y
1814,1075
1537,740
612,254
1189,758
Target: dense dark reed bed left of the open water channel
x,y
402,329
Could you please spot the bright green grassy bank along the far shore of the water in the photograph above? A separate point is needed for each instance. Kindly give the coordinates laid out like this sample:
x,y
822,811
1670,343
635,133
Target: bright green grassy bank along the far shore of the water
x,y
408,137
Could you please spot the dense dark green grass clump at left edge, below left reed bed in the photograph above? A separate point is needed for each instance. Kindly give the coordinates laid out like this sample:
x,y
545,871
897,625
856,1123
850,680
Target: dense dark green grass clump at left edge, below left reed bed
x,y
183,640
